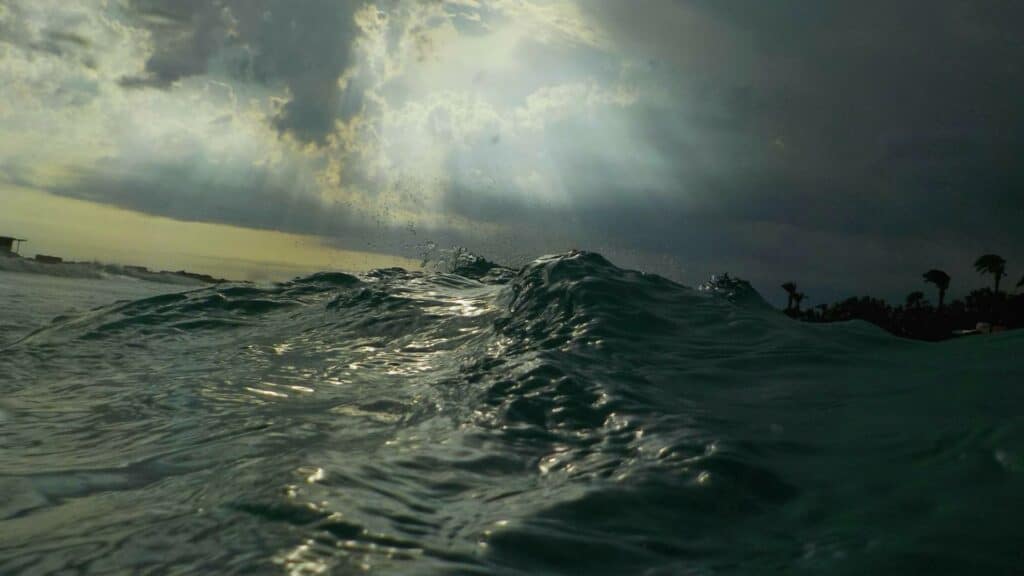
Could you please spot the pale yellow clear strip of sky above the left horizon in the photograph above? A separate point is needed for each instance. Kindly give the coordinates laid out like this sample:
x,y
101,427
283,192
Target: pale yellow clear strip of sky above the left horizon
x,y
78,230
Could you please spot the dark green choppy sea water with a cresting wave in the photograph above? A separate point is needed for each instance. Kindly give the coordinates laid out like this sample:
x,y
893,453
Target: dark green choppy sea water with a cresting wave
x,y
570,418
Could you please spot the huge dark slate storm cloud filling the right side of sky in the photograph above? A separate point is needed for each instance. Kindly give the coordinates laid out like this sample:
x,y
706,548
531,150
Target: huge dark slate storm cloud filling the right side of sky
x,y
889,125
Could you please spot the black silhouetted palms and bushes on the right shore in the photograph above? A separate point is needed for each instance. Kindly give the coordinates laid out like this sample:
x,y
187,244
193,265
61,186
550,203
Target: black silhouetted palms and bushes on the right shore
x,y
984,310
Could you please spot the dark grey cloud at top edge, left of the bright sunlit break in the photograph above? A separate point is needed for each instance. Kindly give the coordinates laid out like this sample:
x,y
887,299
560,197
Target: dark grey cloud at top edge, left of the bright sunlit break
x,y
305,47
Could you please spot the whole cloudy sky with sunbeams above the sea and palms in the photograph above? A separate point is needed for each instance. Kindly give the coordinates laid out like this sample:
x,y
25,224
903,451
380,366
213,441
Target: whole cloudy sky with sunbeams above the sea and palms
x,y
848,147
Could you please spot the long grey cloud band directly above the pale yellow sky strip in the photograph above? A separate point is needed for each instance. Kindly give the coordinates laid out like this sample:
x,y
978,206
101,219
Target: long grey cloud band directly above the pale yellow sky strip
x,y
193,186
